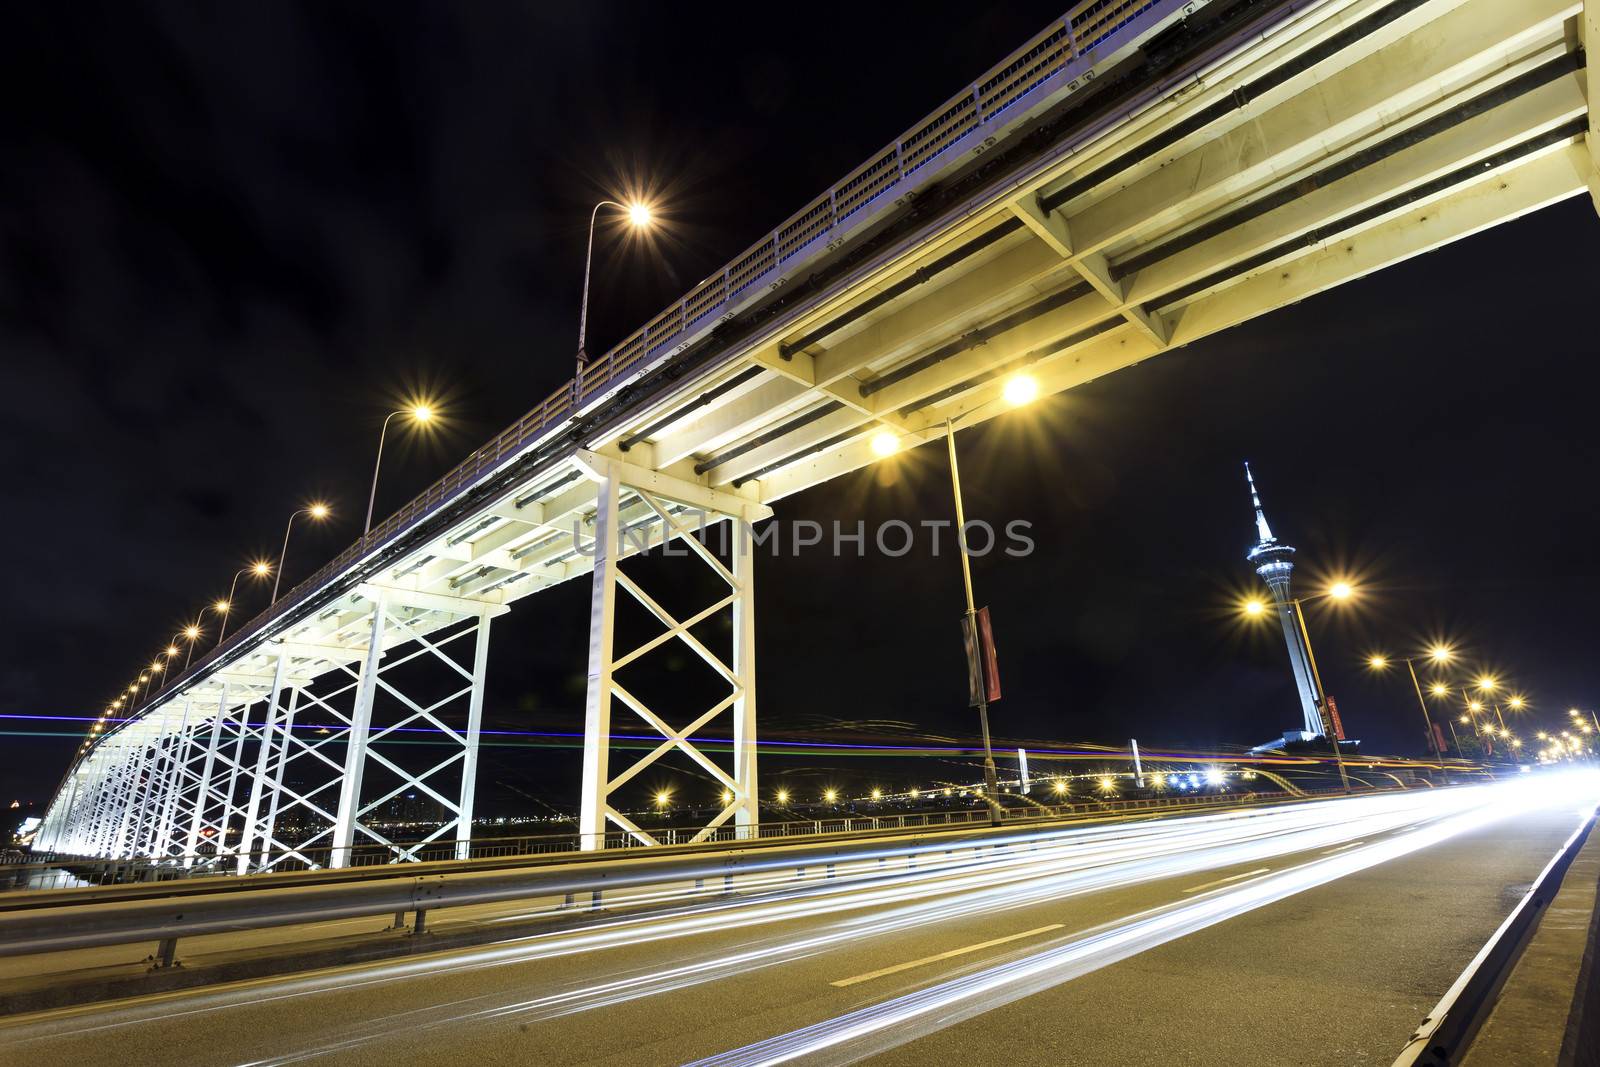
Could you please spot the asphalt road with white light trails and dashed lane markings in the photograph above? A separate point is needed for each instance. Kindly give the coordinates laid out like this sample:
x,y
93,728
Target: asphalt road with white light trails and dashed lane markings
x,y
1311,935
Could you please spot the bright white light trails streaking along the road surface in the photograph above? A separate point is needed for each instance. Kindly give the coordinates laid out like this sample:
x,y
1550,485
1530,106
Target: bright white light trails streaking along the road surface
x,y
890,892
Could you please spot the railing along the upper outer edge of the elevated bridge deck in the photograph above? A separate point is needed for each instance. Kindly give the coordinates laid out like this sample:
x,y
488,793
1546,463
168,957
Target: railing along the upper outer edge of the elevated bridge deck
x,y
818,228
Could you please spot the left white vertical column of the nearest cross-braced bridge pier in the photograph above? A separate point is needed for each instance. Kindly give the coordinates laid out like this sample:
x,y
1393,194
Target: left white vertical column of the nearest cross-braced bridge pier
x,y
598,706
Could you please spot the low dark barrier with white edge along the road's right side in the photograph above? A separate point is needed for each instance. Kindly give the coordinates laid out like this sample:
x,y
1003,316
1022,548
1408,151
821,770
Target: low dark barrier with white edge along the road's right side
x,y
1449,1029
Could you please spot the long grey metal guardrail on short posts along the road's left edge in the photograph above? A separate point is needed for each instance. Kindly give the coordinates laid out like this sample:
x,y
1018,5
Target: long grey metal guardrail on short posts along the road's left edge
x,y
164,921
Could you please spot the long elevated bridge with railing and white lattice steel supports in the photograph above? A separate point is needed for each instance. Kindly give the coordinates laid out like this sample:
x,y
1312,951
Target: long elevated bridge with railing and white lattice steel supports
x,y
1140,175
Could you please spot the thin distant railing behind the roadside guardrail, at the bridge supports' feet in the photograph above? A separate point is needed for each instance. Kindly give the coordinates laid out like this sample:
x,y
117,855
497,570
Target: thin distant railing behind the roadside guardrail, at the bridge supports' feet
x,y
68,873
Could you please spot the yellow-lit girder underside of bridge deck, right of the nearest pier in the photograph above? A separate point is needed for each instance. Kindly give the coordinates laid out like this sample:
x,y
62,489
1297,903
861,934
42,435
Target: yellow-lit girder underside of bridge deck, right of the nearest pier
x,y
1358,137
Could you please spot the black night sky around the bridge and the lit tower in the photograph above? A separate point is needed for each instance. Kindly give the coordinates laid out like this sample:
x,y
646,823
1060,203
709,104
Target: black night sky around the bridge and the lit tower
x,y
233,238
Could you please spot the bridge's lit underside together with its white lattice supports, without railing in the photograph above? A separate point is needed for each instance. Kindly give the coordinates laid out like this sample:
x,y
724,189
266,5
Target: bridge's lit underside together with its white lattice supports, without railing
x,y
1351,137
